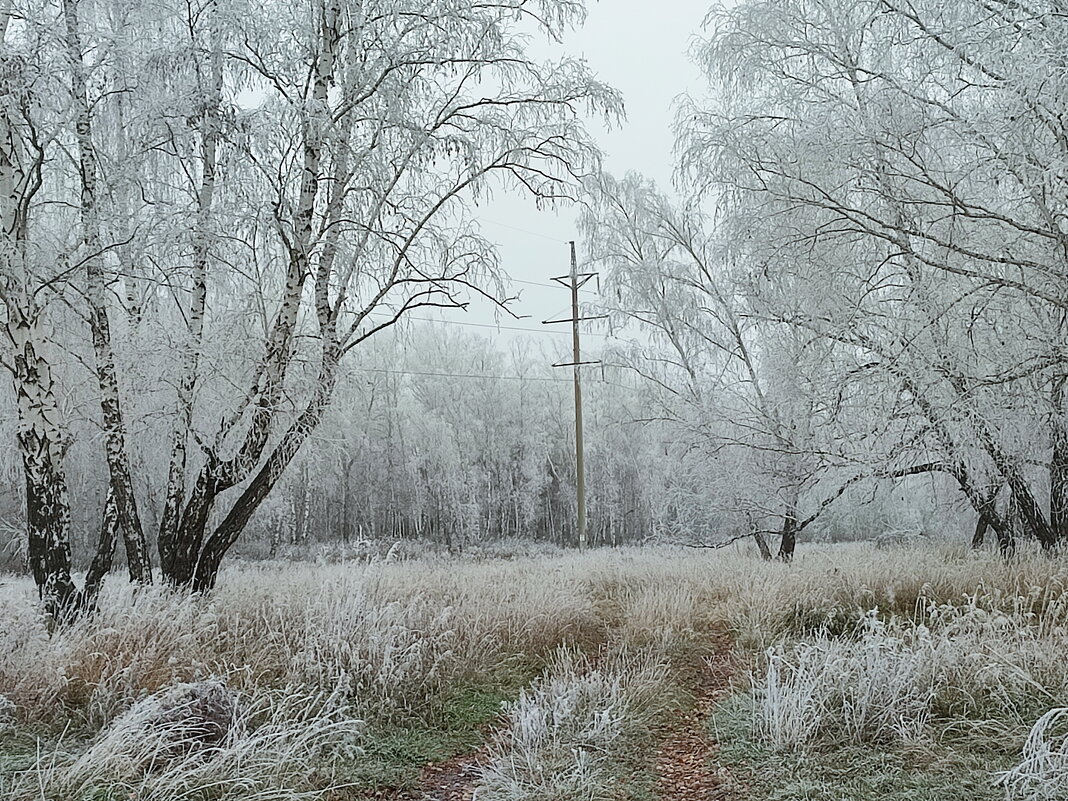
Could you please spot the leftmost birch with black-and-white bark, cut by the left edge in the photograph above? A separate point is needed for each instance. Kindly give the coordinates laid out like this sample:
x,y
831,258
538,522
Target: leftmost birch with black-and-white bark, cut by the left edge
x,y
29,131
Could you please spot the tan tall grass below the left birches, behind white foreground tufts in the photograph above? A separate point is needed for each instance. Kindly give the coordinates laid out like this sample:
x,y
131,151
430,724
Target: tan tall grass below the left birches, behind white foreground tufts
x,y
400,636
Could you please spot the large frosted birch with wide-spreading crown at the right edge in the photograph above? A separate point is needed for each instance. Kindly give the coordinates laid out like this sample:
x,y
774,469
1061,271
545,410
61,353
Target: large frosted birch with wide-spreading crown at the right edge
x,y
894,171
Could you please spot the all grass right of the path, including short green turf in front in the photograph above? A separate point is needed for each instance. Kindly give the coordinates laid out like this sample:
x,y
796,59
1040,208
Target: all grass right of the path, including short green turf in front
x,y
914,674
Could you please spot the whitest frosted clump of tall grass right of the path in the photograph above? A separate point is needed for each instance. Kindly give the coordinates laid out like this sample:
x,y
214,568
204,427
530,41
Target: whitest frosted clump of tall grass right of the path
x,y
965,671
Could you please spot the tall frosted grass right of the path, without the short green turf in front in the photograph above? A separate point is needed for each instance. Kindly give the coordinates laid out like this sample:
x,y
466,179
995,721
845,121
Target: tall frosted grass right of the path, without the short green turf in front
x,y
963,650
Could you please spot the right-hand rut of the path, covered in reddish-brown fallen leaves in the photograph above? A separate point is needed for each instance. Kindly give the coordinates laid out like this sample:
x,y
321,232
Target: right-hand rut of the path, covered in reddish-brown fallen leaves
x,y
686,759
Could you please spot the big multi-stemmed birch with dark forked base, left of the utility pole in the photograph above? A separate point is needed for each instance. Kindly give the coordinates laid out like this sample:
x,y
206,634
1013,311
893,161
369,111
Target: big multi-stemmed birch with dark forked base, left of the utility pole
x,y
379,125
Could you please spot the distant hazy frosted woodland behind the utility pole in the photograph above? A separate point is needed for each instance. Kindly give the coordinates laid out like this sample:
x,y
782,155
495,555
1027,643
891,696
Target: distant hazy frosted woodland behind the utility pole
x,y
465,443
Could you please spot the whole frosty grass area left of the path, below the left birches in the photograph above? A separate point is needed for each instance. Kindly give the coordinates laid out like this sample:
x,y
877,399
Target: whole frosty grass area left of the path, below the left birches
x,y
425,654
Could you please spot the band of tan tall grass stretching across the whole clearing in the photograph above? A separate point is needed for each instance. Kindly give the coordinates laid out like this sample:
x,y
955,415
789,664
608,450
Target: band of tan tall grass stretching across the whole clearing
x,y
403,634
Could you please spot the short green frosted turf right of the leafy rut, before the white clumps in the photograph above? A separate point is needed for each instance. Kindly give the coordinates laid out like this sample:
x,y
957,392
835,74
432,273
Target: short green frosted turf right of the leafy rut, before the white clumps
x,y
930,772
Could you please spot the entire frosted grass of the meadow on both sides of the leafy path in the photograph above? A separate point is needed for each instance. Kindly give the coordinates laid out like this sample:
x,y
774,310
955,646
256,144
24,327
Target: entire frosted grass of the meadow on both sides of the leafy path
x,y
560,662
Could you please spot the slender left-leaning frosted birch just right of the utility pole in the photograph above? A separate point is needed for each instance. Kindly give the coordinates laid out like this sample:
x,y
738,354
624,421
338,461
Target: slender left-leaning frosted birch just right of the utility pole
x,y
749,391
